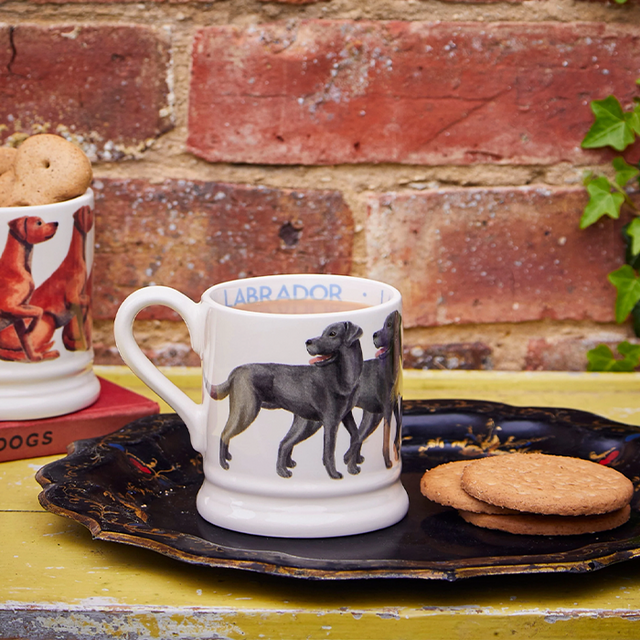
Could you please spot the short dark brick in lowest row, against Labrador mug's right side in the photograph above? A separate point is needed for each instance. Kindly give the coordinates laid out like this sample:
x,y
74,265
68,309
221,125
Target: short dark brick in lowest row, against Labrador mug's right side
x,y
460,356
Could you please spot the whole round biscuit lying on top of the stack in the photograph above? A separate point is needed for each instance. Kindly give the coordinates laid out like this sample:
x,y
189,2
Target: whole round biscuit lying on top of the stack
x,y
547,484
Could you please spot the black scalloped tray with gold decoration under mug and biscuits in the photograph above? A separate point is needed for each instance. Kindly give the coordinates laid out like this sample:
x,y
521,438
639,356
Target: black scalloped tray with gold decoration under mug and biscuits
x,y
138,486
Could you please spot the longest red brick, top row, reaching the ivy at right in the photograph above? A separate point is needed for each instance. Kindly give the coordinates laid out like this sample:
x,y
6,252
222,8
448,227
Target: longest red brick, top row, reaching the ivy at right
x,y
325,92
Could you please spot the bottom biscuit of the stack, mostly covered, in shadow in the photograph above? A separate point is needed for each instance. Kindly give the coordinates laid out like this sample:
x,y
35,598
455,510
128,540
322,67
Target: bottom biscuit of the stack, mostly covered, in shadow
x,y
539,525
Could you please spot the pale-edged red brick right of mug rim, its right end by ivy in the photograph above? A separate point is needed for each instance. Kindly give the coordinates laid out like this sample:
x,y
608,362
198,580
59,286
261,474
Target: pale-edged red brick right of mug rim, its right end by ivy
x,y
495,255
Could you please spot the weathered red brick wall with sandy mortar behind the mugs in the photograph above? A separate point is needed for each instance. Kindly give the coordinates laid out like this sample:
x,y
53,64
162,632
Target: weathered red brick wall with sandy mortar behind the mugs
x,y
431,144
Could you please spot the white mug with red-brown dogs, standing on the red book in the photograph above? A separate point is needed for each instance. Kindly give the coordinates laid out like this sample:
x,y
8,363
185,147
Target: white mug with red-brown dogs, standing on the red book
x,y
46,354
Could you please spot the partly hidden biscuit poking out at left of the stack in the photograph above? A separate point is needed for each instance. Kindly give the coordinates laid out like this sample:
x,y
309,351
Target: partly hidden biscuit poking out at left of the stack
x,y
442,485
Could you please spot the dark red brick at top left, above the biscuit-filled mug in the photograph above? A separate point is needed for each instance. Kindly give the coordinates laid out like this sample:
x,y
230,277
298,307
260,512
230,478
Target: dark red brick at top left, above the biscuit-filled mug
x,y
107,84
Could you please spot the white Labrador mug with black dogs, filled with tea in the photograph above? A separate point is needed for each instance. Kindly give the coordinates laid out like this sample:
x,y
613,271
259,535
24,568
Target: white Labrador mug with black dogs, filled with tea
x,y
301,415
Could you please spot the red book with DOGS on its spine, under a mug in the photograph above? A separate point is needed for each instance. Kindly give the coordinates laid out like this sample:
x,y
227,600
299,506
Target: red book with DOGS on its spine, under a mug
x,y
115,407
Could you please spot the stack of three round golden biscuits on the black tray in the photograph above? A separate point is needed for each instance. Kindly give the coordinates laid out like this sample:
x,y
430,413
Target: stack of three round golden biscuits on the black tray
x,y
532,493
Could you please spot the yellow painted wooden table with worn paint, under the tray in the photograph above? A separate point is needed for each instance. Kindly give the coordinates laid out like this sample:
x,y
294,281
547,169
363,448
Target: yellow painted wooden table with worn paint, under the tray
x,y
56,582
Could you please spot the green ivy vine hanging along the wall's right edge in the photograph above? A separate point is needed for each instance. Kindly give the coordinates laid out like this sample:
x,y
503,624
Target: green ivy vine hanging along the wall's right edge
x,y
616,128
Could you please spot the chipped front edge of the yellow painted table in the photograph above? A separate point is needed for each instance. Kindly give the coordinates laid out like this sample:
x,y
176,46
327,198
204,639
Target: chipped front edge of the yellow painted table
x,y
441,623
